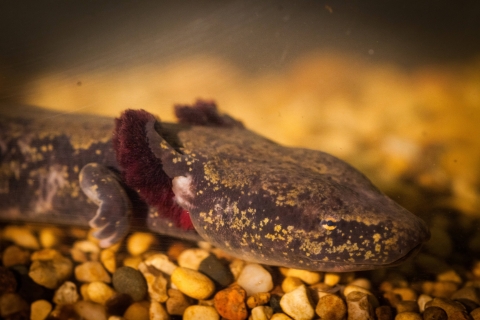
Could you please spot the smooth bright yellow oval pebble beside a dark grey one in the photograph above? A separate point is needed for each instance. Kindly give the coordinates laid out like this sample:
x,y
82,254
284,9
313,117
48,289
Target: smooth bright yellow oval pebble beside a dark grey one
x,y
193,283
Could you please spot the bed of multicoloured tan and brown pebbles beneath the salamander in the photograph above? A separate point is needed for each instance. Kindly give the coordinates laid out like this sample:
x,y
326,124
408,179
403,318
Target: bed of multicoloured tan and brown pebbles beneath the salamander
x,y
61,273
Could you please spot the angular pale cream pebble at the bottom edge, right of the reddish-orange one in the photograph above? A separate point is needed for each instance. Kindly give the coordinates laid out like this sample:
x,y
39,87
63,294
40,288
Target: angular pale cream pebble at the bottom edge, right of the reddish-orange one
x,y
297,304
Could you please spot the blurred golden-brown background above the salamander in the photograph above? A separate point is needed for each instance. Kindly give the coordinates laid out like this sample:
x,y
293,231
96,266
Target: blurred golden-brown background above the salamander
x,y
393,87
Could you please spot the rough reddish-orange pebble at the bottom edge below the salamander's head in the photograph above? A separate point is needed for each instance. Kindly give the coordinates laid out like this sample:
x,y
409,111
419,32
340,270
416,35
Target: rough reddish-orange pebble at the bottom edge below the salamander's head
x,y
230,303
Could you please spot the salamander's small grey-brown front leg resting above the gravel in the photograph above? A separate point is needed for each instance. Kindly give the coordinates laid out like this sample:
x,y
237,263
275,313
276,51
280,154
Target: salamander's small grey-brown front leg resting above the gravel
x,y
112,219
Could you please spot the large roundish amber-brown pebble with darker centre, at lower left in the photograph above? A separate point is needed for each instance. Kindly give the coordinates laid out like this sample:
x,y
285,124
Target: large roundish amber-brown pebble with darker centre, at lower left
x,y
49,268
